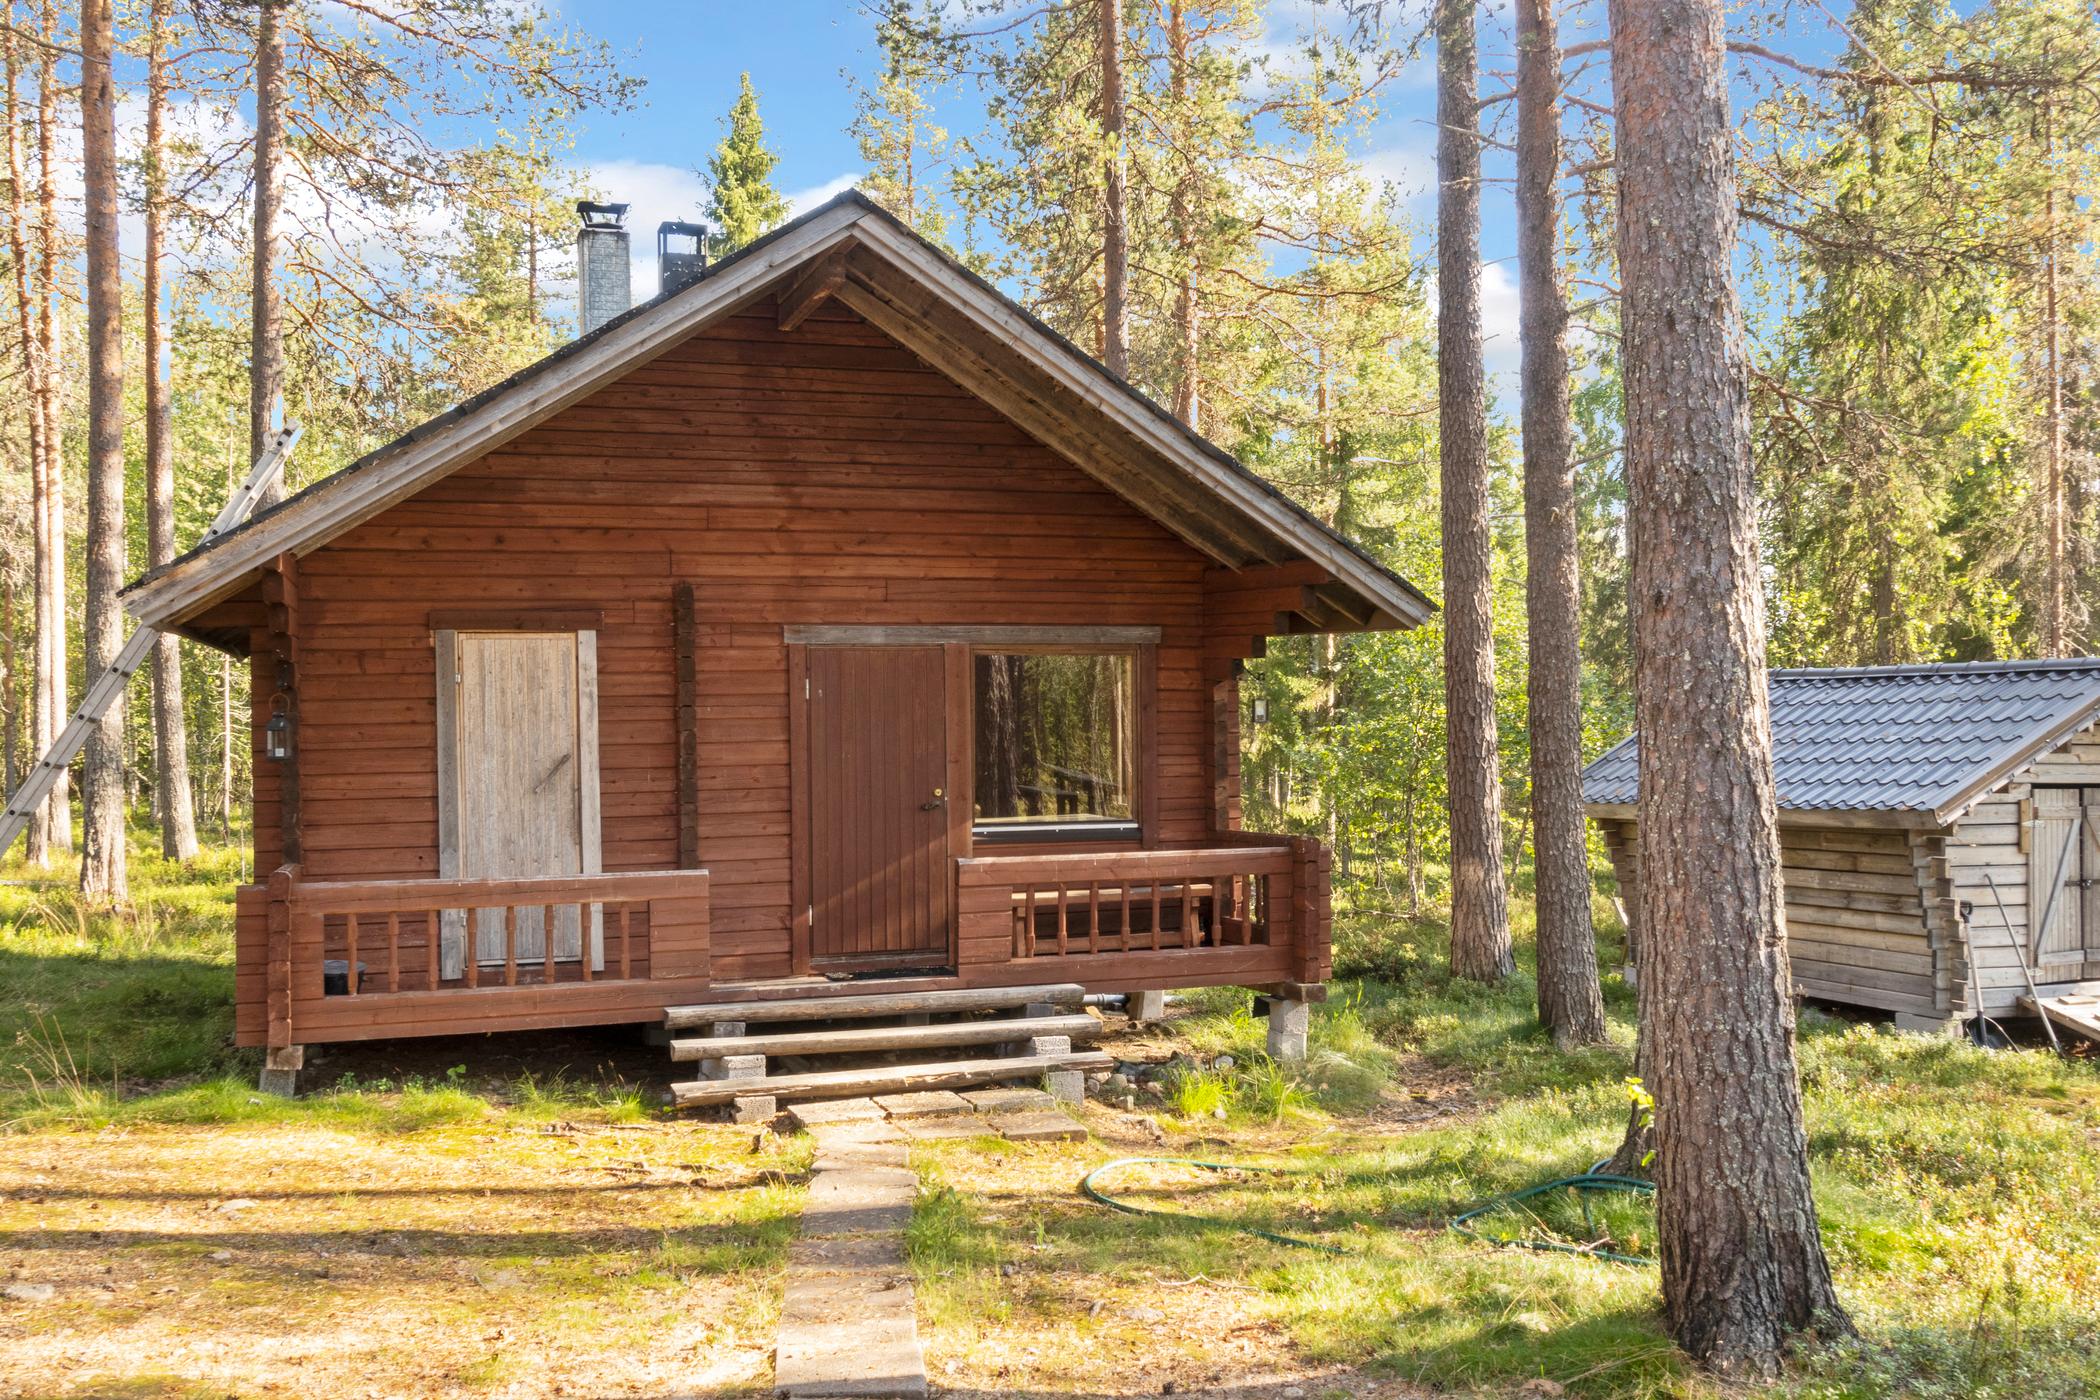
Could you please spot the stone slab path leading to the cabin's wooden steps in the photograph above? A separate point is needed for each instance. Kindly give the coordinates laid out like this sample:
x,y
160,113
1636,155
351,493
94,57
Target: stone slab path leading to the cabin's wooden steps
x,y
849,1319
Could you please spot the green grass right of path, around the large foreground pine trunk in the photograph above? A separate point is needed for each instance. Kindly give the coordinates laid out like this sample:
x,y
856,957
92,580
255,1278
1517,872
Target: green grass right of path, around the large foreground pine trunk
x,y
1958,1191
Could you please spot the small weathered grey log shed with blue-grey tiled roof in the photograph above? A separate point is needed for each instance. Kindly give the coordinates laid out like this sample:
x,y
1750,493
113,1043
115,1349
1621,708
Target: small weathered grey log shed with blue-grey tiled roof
x,y
1939,836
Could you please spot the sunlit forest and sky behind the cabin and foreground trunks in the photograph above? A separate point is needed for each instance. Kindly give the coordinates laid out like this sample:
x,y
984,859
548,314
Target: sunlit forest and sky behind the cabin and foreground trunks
x,y
1918,266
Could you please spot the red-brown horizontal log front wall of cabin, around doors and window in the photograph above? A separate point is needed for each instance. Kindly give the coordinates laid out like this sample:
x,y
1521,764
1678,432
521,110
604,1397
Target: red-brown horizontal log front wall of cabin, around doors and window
x,y
820,475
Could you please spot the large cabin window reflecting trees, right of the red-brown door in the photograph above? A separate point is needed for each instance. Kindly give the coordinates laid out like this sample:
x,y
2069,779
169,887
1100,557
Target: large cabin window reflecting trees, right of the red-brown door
x,y
1055,744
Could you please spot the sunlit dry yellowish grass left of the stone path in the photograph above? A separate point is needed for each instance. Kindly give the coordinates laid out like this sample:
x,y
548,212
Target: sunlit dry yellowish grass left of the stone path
x,y
495,1258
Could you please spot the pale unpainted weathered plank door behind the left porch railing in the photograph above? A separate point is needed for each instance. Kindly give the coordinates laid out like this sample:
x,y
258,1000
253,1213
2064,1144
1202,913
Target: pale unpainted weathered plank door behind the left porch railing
x,y
522,784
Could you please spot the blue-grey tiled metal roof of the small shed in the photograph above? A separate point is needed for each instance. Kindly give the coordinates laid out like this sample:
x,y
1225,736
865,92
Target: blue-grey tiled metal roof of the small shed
x,y
1899,738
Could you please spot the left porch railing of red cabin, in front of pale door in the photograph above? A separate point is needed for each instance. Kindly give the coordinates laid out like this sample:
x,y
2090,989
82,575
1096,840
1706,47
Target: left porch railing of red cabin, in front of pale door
x,y
532,943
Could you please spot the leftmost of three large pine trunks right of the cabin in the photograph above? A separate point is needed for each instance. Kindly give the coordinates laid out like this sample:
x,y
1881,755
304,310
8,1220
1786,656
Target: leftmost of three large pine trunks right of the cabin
x,y
1479,904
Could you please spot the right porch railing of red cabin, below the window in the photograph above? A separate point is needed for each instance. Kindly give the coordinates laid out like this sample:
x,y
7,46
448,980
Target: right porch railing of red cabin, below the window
x,y
1253,901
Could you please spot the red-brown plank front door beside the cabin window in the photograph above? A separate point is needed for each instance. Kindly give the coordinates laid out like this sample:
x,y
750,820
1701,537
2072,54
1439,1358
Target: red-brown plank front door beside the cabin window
x,y
877,773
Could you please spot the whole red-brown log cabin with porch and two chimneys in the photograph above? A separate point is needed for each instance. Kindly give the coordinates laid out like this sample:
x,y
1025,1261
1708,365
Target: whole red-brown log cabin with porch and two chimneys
x,y
820,633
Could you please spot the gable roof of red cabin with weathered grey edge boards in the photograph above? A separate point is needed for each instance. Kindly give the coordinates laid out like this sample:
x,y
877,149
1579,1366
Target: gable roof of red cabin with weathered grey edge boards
x,y
927,301
